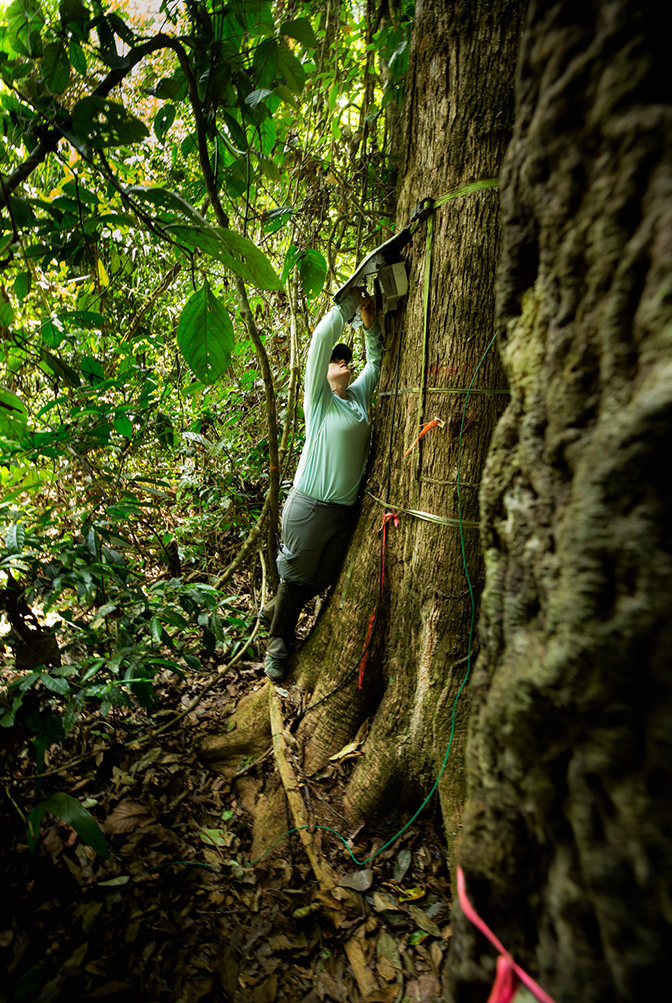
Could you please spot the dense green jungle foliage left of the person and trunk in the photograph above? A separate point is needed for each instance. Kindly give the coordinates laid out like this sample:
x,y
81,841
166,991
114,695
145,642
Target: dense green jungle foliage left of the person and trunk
x,y
180,197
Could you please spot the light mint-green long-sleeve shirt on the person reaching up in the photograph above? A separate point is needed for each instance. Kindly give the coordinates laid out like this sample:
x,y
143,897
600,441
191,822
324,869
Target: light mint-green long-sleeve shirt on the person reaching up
x,y
338,432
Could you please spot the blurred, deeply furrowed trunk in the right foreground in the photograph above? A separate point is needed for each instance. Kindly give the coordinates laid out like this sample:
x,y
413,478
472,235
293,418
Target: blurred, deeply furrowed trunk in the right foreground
x,y
567,830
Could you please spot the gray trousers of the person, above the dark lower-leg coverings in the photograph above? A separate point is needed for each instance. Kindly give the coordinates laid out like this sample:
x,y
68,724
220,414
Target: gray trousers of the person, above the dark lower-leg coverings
x,y
315,537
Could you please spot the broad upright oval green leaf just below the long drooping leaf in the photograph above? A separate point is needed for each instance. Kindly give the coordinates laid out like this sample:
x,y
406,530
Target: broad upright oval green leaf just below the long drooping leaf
x,y
206,336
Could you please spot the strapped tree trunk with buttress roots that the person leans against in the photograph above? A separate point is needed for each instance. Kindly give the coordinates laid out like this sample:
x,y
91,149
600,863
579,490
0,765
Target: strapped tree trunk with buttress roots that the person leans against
x,y
458,122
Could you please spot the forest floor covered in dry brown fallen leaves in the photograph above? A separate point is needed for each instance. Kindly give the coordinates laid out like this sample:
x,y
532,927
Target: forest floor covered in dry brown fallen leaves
x,y
177,912
